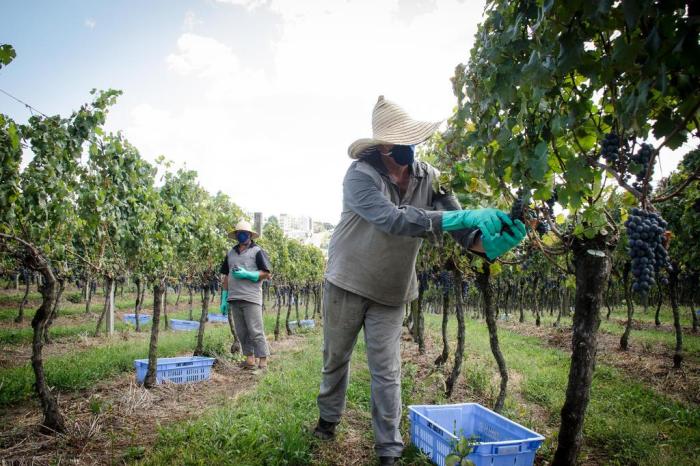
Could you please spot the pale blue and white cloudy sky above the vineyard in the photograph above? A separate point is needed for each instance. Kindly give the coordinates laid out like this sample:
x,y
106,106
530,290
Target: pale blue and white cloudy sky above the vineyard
x,y
260,97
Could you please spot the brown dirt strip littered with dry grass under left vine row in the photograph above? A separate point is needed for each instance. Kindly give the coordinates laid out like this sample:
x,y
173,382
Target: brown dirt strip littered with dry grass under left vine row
x,y
117,422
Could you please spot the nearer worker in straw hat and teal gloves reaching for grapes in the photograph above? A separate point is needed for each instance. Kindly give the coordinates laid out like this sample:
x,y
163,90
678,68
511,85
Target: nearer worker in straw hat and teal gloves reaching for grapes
x,y
390,202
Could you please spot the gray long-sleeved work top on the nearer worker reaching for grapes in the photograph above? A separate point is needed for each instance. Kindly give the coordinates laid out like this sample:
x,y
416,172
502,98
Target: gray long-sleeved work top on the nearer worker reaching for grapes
x,y
374,248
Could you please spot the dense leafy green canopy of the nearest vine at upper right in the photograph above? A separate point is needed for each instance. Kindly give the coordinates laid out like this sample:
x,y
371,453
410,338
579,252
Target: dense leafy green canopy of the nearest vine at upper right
x,y
547,80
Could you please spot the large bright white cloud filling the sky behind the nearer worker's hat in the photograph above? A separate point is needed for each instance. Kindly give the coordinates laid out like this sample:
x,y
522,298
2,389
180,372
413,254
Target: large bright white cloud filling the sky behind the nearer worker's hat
x,y
288,130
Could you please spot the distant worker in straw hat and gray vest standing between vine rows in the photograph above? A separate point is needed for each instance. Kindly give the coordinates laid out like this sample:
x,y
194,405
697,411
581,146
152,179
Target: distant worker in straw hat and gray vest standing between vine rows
x,y
244,268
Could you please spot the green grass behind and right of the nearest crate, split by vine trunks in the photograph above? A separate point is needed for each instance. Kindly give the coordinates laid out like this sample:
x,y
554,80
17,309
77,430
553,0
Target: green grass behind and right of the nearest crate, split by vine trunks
x,y
630,422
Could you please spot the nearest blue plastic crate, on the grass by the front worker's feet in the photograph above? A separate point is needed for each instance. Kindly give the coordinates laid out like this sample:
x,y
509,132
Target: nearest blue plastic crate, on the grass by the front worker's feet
x,y
499,441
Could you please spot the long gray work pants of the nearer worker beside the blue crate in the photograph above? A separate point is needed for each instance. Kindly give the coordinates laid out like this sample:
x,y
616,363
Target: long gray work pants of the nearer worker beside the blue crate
x,y
344,314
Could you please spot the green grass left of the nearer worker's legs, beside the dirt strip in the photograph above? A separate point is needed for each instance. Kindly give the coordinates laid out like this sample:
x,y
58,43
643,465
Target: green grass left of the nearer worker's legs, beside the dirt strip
x,y
269,425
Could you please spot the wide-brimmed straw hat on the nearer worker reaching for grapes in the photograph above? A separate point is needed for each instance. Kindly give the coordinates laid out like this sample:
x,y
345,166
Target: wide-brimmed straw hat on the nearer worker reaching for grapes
x,y
392,125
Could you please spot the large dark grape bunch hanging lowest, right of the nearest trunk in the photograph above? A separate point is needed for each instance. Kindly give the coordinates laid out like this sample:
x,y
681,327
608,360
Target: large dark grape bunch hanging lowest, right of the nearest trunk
x,y
645,231
